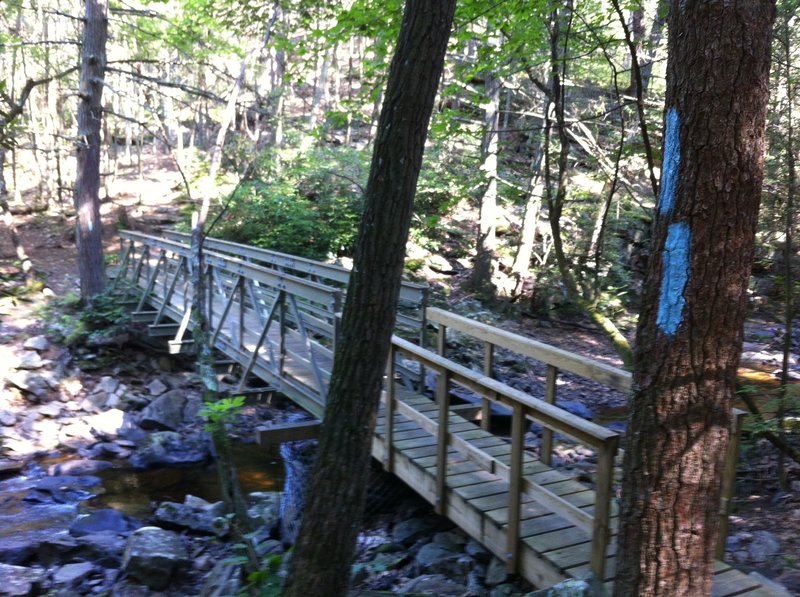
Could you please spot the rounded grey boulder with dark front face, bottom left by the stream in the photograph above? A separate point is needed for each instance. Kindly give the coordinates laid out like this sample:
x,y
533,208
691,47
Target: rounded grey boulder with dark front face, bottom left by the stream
x,y
155,557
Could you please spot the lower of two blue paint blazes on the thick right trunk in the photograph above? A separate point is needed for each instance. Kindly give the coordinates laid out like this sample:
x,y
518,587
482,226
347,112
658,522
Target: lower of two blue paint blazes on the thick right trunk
x,y
674,277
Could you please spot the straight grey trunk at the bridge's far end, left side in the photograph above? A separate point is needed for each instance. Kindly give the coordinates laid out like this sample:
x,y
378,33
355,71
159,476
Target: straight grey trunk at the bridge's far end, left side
x,y
89,234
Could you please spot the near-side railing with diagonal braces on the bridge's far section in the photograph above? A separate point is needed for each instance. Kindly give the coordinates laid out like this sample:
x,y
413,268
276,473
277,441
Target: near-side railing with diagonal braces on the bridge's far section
x,y
278,326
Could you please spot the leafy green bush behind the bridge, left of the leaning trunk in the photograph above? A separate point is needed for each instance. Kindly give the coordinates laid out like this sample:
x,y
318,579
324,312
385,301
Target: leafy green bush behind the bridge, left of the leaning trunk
x,y
311,208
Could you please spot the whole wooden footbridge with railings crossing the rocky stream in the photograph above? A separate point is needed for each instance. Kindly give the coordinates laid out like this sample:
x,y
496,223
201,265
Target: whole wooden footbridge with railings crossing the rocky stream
x,y
276,317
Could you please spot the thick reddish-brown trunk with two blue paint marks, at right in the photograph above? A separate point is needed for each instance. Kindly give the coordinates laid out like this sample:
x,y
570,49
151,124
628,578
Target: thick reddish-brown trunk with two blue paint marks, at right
x,y
689,337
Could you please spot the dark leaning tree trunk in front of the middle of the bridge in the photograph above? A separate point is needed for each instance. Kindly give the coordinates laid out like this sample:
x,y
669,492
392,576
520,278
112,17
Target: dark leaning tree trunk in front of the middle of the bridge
x,y
325,546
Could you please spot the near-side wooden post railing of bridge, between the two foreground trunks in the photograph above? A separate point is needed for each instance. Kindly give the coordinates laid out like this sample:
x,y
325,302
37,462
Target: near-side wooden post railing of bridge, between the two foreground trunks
x,y
524,409
